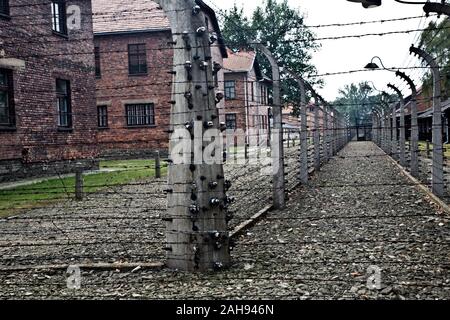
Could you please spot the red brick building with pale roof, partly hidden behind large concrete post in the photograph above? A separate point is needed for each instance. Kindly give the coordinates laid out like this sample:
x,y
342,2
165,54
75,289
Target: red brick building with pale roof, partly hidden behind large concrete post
x,y
134,85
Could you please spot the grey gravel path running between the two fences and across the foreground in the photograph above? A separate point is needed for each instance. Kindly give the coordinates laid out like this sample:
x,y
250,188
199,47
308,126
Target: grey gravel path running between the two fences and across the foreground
x,y
358,212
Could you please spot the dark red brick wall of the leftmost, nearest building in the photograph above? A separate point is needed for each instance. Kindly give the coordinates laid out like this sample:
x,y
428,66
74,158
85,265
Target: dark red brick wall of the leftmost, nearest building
x,y
28,36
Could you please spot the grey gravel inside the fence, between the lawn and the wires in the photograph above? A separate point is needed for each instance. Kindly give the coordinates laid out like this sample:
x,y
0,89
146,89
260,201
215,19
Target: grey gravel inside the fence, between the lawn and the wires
x,y
118,224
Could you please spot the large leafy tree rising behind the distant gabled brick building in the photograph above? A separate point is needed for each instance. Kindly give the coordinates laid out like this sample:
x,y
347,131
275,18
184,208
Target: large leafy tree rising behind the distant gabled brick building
x,y
282,30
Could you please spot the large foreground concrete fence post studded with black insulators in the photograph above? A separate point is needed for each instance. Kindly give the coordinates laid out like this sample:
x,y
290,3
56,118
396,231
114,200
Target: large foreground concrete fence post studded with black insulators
x,y
196,221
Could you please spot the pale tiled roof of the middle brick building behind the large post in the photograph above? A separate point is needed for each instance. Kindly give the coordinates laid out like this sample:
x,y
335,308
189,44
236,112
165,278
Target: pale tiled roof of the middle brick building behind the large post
x,y
135,16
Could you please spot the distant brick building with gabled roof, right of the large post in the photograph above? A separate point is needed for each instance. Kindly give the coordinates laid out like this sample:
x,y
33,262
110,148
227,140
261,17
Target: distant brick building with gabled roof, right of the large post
x,y
246,93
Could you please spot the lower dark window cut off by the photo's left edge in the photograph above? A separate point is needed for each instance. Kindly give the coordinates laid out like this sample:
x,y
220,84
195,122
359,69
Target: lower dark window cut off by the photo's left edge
x,y
7,117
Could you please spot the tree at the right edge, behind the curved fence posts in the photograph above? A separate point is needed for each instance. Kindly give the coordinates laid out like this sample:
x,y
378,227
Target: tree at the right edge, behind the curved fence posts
x,y
435,40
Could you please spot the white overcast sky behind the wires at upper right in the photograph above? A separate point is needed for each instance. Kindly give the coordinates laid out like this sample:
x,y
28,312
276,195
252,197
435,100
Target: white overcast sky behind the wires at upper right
x,y
353,54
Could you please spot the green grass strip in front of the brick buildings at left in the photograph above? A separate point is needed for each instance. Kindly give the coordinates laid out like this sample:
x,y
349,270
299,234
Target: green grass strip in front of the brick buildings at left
x,y
13,201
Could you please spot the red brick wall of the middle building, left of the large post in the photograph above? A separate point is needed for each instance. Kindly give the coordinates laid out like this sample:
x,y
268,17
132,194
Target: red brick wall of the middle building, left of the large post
x,y
116,87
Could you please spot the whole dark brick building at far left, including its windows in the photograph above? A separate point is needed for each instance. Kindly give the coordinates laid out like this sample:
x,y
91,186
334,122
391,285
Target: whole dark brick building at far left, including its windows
x,y
47,87
